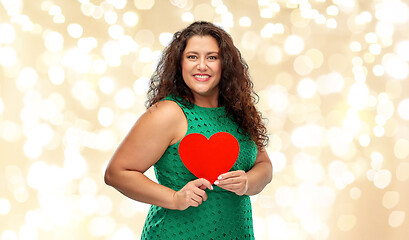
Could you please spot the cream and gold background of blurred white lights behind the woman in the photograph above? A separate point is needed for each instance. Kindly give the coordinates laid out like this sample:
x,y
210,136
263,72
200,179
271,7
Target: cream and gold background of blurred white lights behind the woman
x,y
332,76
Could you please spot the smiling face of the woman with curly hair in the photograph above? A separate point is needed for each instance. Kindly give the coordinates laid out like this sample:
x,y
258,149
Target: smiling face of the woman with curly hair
x,y
201,66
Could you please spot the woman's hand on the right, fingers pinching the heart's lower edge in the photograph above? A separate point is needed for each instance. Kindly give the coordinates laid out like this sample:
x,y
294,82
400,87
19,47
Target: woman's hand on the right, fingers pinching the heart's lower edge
x,y
234,181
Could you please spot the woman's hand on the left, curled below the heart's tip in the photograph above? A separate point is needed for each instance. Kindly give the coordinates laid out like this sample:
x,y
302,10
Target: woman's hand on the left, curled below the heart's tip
x,y
192,194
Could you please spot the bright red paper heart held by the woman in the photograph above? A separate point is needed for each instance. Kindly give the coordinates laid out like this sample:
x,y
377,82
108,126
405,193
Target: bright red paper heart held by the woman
x,y
209,158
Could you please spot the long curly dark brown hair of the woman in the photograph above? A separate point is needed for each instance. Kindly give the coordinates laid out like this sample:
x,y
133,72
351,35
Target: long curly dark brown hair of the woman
x,y
236,91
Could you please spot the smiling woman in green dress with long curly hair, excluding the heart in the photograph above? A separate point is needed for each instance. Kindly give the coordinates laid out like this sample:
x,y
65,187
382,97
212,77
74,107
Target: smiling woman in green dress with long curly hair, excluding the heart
x,y
201,85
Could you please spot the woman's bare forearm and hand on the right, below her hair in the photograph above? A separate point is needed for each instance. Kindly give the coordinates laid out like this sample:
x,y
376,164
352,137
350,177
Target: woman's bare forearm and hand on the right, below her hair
x,y
252,182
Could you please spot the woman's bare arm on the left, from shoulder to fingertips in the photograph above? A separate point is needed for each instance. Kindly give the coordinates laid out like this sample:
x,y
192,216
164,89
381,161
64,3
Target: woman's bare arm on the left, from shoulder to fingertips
x,y
161,126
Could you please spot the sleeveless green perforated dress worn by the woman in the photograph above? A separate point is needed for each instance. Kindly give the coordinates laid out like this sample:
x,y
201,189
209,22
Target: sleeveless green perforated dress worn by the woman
x,y
224,215
